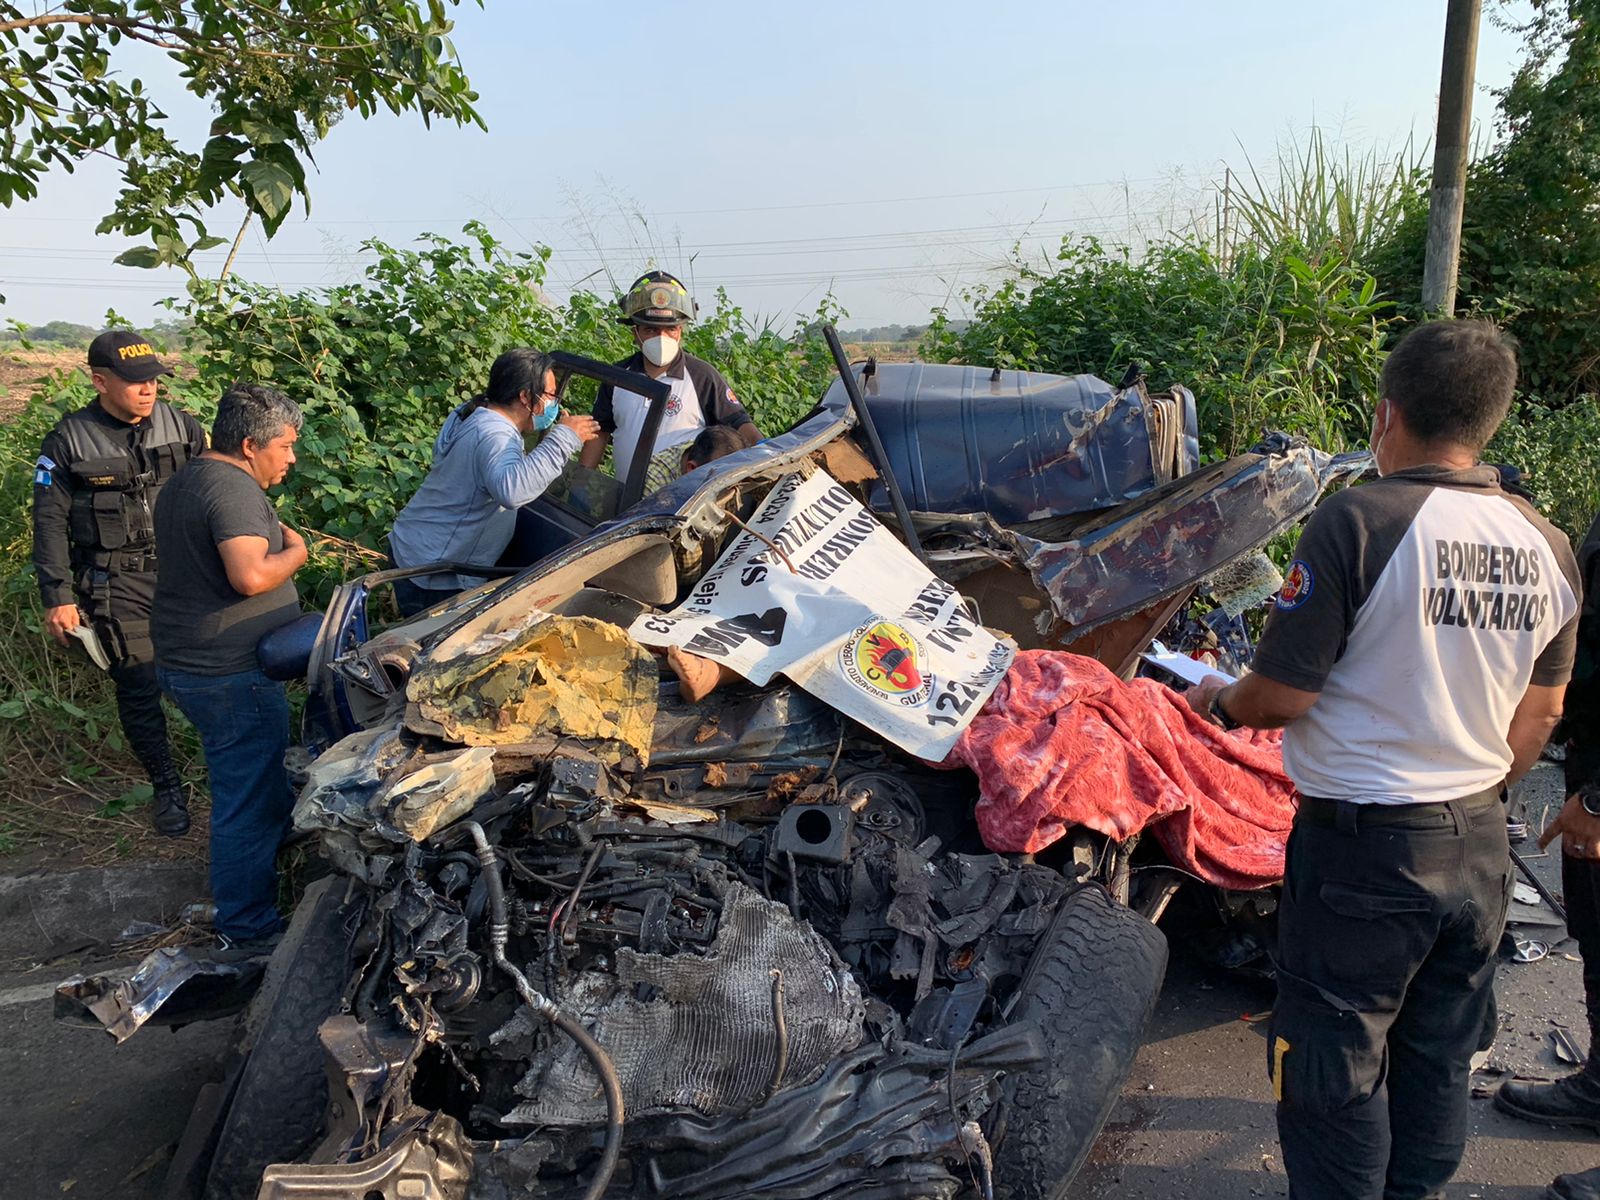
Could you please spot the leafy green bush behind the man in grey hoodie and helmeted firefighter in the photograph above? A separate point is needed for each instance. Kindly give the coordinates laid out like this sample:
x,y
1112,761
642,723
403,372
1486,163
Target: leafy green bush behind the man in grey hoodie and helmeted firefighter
x,y
378,366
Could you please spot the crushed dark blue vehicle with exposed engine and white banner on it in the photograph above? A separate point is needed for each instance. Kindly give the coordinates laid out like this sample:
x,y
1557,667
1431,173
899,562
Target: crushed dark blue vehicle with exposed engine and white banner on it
x,y
586,935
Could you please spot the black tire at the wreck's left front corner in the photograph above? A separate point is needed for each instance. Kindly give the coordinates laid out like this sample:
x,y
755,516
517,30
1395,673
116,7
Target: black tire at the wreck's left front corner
x,y
281,1102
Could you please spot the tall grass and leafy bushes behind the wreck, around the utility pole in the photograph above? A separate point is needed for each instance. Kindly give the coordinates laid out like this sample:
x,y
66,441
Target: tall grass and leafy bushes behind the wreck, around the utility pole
x,y
1276,318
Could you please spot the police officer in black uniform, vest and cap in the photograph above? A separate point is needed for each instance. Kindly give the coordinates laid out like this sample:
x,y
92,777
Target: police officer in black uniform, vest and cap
x,y
95,490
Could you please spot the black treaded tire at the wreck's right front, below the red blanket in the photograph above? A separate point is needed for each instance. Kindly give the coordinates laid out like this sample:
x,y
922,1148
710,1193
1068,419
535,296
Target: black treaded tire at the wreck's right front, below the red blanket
x,y
1092,988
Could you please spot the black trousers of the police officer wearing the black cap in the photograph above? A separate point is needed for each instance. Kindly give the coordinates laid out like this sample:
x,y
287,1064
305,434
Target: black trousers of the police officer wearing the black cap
x,y
119,609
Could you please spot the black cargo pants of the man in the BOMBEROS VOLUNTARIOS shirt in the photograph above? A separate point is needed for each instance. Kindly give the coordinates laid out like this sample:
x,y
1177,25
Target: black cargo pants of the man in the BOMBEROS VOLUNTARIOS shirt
x,y
1388,932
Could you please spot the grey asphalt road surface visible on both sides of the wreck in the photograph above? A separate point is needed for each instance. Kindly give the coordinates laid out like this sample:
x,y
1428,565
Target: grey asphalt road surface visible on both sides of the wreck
x,y
92,1119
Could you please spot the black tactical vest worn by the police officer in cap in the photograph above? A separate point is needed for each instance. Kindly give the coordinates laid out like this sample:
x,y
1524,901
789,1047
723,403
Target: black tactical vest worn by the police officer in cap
x,y
114,486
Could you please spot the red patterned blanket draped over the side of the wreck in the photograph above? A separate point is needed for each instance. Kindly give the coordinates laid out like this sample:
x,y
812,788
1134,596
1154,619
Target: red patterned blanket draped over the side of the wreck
x,y
1066,743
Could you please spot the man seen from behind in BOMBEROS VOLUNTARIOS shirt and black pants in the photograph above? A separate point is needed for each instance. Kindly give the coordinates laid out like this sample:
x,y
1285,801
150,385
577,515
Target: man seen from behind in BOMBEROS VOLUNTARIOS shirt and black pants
x,y
1417,662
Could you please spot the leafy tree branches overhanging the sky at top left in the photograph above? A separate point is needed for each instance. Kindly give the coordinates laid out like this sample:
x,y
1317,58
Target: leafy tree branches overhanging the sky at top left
x,y
276,78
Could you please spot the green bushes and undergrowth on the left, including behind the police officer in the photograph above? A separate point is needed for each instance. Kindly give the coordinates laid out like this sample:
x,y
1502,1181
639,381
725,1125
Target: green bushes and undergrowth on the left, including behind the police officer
x,y
377,367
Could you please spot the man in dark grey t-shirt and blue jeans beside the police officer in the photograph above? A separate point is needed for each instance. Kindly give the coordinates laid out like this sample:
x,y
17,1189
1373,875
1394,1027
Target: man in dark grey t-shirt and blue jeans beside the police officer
x,y
226,580
